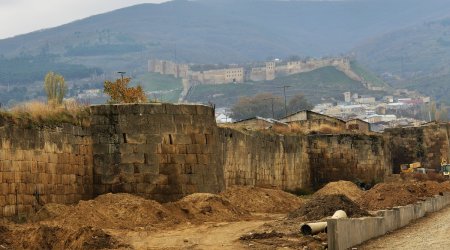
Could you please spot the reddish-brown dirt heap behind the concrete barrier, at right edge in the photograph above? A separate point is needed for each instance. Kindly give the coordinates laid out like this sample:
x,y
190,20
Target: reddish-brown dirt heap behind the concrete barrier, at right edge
x,y
388,195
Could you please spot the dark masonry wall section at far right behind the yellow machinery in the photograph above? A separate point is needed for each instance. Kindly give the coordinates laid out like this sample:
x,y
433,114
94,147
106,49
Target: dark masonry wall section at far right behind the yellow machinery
x,y
427,144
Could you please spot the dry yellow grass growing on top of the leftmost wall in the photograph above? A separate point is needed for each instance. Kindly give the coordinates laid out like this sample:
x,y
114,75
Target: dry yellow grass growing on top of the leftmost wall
x,y
38,114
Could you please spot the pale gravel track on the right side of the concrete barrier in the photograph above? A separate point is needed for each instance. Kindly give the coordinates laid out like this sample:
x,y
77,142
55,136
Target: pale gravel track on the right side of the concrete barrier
x,y
431,232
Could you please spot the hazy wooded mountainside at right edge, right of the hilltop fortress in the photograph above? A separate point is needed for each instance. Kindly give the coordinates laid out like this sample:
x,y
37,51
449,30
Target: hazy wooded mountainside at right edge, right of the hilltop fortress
x,y
417,58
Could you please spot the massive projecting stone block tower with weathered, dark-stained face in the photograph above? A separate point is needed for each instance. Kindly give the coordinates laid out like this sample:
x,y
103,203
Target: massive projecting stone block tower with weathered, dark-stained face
x,y
159,151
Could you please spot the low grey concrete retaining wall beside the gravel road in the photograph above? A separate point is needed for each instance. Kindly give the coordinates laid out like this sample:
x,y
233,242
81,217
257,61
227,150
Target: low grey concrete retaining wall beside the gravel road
x,y
346,233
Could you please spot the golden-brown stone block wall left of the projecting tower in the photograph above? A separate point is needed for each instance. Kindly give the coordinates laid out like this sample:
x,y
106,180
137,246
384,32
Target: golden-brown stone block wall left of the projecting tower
x,y
43,165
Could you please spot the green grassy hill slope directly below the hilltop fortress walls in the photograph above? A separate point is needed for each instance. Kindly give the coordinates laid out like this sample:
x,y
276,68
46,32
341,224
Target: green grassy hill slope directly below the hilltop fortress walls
x,y
321,85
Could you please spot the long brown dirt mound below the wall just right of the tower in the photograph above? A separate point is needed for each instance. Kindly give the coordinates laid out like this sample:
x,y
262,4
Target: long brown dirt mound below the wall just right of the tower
x,y
261,200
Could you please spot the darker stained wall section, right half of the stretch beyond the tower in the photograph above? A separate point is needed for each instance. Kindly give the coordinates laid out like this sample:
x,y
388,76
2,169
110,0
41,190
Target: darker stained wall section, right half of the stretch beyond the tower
x,y
348,157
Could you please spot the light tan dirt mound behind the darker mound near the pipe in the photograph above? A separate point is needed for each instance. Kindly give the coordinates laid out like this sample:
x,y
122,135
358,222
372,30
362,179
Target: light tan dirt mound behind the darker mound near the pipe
x,y
347,188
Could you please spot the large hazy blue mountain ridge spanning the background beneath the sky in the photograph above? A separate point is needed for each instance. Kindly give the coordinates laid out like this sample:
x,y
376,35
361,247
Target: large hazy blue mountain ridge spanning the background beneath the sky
x,y
212,31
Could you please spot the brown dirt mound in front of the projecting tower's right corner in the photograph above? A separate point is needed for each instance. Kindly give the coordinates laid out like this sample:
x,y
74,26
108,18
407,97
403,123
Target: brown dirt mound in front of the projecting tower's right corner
x,y
202,207
